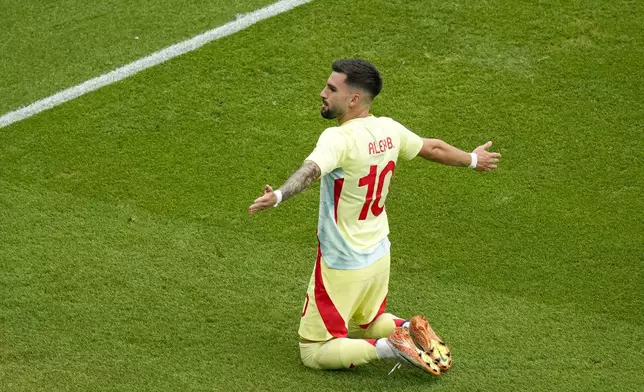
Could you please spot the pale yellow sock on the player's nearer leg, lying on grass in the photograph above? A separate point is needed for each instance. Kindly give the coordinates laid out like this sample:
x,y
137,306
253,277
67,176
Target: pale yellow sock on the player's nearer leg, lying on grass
x,y
342,353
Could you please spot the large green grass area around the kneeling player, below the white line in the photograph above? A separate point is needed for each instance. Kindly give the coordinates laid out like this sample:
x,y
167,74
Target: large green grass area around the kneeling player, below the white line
x,y
129,261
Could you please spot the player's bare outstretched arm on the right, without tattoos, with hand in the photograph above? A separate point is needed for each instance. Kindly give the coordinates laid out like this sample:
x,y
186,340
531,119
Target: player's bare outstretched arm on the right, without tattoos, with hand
x,y
438,151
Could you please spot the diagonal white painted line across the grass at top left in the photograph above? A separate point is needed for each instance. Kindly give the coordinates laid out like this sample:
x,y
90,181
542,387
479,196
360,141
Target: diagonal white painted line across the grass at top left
x,y
151,60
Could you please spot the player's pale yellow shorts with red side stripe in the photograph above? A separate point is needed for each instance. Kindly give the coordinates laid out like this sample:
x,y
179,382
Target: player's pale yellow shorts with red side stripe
x,y
338,301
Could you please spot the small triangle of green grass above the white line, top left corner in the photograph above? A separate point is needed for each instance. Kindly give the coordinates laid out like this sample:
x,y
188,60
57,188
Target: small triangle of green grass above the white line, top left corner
x,y
46,46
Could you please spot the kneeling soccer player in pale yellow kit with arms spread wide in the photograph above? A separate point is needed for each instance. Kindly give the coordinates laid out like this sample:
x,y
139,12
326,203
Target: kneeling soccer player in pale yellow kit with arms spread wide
x,y
344,323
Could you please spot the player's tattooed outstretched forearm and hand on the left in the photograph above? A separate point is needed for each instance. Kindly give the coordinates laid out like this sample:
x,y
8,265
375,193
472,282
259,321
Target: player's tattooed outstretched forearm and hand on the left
x,y
298,182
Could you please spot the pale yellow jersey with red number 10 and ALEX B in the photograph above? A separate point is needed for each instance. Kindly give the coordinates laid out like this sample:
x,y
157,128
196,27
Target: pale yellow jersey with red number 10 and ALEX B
x,y
357,160
